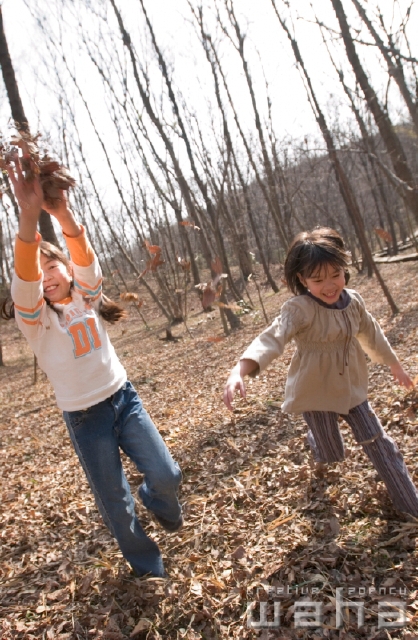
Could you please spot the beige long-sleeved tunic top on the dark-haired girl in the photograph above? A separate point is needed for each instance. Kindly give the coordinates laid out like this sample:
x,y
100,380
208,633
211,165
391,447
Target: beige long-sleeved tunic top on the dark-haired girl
x,y
328,371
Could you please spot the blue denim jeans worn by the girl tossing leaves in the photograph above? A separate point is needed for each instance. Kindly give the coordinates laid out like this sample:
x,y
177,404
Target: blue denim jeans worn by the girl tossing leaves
x,y
98,434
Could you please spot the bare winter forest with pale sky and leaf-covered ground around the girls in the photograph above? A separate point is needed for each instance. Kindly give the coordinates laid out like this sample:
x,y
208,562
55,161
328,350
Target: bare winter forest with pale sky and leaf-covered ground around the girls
x,y
191,190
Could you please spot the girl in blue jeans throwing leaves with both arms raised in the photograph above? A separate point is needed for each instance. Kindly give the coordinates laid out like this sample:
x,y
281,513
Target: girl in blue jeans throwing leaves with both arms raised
x,y
59,307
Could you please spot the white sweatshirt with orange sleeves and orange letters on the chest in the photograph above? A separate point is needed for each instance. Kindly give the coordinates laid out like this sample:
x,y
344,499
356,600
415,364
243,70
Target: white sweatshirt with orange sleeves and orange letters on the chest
x,y
72,347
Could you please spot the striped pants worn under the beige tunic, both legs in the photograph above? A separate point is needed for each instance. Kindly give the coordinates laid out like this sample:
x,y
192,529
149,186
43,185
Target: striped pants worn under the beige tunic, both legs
x,y
327,445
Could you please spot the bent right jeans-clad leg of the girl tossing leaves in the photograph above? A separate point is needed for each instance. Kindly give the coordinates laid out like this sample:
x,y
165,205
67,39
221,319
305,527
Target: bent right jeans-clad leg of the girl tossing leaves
x,y
141,441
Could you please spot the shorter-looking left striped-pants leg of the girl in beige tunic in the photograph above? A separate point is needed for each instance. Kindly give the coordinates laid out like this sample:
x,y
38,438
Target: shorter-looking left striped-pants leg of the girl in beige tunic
x,y
324,436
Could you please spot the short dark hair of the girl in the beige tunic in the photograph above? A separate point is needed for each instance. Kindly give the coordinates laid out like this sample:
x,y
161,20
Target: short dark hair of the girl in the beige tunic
x,y
310,250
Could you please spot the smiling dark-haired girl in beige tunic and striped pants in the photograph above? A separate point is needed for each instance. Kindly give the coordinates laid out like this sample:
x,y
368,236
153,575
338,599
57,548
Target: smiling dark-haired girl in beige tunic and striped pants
x,y
327,377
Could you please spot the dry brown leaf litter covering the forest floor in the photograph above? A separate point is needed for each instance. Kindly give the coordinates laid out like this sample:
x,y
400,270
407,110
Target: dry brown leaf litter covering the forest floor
x,y
264,527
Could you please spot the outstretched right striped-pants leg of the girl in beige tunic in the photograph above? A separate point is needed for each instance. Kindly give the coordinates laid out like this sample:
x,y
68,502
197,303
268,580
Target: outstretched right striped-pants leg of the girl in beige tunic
x,y
385,456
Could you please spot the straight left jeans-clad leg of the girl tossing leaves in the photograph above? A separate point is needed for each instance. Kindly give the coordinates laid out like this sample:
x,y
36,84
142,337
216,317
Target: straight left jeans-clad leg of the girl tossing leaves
x,y
95,440
